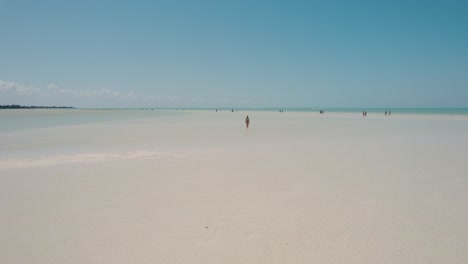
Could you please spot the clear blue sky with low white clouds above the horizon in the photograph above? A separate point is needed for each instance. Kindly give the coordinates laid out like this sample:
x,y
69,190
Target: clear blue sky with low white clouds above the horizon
x,y
234,53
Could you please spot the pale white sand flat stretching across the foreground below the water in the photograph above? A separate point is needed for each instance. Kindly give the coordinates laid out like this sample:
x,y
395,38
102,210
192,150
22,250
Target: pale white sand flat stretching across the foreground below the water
x,y
199,188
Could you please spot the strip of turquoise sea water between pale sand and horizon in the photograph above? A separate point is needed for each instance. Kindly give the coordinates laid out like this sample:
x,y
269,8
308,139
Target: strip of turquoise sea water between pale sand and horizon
x,y
22,119
